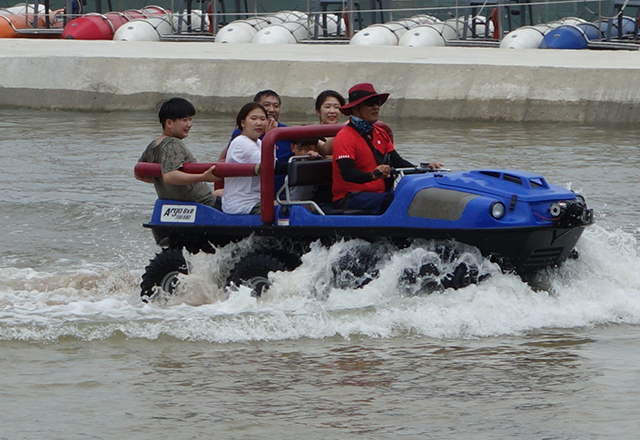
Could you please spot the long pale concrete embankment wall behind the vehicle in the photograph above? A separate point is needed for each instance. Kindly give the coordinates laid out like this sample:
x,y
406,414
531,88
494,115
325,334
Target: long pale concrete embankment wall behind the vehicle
x,y
440,82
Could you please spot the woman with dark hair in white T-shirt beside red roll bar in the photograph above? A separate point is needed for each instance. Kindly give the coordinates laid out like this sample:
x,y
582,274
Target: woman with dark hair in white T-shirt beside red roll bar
x,y
242,194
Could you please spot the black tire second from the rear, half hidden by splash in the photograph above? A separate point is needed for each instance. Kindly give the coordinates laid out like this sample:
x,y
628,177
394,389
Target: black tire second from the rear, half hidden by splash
x,y
253,271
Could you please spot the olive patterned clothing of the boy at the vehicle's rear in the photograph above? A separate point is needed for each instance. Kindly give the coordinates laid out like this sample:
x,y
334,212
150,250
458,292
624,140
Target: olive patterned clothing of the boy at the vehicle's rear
x,y
172,154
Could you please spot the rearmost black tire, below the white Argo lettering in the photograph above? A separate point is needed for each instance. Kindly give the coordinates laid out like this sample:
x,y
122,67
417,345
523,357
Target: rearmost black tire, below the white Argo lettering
x,y
162,273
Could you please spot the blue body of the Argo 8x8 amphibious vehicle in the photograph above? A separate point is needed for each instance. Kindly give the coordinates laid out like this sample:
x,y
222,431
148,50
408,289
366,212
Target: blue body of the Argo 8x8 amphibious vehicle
x,y
516,218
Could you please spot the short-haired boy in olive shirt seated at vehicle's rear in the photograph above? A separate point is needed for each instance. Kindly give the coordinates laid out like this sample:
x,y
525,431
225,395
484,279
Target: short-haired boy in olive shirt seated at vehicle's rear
x,y
176,117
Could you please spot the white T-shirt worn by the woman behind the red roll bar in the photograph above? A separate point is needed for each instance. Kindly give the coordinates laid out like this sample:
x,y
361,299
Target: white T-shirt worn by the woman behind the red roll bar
x,y
241,194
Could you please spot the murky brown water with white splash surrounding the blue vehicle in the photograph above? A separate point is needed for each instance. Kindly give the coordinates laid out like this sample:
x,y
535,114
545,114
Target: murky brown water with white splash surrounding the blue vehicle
x,y
83,358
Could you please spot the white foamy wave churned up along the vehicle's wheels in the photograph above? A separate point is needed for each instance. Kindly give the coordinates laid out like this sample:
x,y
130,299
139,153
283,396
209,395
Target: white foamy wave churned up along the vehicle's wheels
x,y
100,301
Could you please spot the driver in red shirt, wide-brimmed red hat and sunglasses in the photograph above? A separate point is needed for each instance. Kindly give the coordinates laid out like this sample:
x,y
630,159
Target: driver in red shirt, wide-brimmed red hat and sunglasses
x,y
363,155
